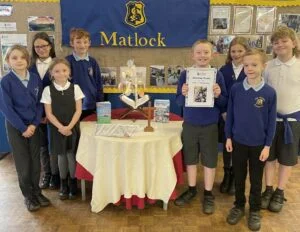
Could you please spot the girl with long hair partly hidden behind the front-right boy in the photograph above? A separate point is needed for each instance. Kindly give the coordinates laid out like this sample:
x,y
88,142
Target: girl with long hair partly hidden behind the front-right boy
x,y
233,71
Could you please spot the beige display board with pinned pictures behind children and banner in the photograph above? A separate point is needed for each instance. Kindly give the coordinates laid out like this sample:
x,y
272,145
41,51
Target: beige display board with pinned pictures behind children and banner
x,y
157,61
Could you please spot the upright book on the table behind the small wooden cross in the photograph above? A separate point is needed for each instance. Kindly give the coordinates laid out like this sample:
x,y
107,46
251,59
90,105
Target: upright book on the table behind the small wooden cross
x,y
161,110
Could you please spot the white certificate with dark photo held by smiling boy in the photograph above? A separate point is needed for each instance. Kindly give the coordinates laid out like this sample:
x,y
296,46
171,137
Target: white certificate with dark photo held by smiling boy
x,y
200,82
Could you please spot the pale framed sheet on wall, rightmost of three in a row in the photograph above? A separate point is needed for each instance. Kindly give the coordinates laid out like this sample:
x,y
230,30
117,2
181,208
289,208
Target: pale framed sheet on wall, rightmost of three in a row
x,y
265,19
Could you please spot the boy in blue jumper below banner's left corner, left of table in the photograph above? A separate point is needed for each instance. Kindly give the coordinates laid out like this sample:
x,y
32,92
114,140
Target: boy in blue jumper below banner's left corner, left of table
x,y
85,71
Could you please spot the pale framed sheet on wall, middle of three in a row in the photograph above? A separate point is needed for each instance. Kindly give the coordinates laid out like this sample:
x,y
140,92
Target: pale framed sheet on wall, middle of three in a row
x,y
242,19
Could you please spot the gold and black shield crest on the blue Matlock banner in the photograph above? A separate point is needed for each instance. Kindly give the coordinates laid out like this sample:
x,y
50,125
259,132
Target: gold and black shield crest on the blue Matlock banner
x,y
135,15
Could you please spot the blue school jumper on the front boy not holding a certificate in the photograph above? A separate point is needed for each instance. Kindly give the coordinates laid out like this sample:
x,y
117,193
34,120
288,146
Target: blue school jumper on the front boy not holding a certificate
x,y
251,114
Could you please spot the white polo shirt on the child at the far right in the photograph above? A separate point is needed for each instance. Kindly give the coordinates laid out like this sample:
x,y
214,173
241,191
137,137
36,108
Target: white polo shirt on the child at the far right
x,y
285,79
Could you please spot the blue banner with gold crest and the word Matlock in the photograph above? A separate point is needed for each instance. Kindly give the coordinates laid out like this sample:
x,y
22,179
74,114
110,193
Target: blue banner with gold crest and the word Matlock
x,y
147,23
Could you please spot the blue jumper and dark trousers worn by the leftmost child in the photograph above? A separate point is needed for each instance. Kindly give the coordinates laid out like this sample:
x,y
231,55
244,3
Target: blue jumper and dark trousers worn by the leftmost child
x,y
21,107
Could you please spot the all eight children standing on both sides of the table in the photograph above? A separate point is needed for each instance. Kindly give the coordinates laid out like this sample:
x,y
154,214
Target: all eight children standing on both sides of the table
x,y
244,114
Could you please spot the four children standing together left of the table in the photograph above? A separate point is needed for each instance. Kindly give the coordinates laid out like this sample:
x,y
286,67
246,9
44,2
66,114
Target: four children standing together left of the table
x,y
69,89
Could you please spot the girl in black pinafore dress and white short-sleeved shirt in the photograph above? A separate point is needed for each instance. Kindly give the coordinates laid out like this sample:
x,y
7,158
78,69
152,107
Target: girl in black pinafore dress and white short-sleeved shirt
x,y
63,104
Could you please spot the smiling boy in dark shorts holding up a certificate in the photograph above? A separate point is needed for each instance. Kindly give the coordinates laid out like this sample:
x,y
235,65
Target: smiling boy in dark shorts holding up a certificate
x,y
200,130
